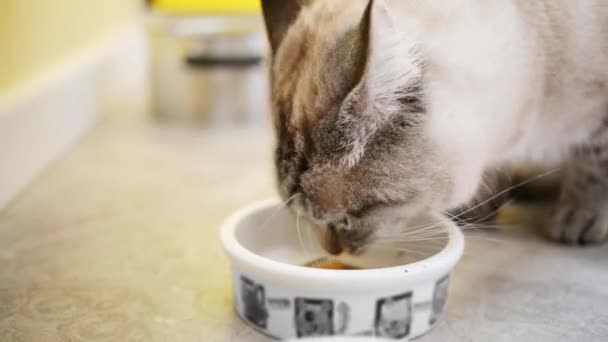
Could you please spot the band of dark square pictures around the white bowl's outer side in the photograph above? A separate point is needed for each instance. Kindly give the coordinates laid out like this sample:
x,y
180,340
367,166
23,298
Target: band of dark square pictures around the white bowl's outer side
x,y
307,317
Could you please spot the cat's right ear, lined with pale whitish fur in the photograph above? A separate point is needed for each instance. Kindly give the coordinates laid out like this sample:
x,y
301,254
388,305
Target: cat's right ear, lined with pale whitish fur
x,y
390,75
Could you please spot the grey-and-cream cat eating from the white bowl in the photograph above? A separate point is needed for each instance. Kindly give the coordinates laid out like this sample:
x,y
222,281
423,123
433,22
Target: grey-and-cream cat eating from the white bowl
x,y
384,109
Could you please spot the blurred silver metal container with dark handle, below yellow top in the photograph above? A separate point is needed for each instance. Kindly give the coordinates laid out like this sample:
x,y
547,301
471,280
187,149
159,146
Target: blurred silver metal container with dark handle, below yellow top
x,y
209,70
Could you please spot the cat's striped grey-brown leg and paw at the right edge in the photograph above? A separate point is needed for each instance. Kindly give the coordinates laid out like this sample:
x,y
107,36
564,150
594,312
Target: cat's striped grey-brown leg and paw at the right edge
x,y
581,214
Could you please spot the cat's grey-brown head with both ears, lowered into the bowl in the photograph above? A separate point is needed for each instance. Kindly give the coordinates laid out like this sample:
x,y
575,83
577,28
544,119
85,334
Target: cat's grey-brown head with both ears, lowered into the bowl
x,y
354,153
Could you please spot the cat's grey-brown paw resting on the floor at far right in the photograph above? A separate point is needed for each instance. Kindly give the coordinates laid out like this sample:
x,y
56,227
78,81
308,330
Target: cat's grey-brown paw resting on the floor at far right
x,y
579,224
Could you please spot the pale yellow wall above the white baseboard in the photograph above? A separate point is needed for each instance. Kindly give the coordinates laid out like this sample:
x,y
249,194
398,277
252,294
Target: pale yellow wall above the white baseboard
x,y
35,34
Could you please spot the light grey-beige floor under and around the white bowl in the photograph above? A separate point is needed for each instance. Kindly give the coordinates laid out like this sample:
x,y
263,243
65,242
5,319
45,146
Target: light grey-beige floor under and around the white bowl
x,y
118,242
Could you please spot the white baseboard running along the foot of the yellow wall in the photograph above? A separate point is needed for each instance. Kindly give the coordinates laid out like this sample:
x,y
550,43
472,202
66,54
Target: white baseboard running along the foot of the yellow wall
x,y
43,117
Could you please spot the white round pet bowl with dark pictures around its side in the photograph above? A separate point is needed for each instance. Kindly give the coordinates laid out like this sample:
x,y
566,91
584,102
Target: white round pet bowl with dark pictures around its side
x,y
281,299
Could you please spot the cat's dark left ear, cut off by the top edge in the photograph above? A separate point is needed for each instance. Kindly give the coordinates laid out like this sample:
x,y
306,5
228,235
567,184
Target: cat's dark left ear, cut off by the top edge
x,y
279,15
